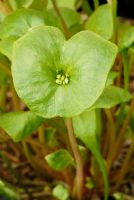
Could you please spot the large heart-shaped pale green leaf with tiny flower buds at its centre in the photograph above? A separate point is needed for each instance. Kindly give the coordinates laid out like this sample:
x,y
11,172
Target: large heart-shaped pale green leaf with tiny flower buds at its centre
x,y
49,56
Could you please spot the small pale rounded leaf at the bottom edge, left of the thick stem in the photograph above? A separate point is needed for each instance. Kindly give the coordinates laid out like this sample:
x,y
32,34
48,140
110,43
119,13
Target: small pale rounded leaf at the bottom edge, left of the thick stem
x,y
60,192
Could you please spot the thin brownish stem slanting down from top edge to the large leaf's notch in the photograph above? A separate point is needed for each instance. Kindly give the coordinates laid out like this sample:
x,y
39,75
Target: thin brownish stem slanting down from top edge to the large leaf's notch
x,y
67,32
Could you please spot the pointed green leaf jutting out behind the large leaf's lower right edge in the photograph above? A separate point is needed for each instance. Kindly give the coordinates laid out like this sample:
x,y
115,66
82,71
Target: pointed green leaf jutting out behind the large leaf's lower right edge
x,y
112,96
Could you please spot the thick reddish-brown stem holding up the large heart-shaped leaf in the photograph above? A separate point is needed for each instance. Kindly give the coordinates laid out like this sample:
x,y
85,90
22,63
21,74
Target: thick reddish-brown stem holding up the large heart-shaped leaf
x,y
79,165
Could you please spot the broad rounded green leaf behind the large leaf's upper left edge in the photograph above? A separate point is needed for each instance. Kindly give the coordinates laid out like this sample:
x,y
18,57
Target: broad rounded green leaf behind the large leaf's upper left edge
x,y
19,22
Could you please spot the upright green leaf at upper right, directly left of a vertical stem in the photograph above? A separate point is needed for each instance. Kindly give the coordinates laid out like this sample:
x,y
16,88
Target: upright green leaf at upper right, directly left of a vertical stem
x,y
100,19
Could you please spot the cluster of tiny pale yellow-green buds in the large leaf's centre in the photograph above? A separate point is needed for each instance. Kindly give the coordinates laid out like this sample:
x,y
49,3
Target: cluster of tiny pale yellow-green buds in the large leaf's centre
x,y
62,79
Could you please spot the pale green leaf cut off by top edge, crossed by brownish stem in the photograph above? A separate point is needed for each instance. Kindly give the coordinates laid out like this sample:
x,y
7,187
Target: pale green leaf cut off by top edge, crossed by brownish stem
x,y
63,3
